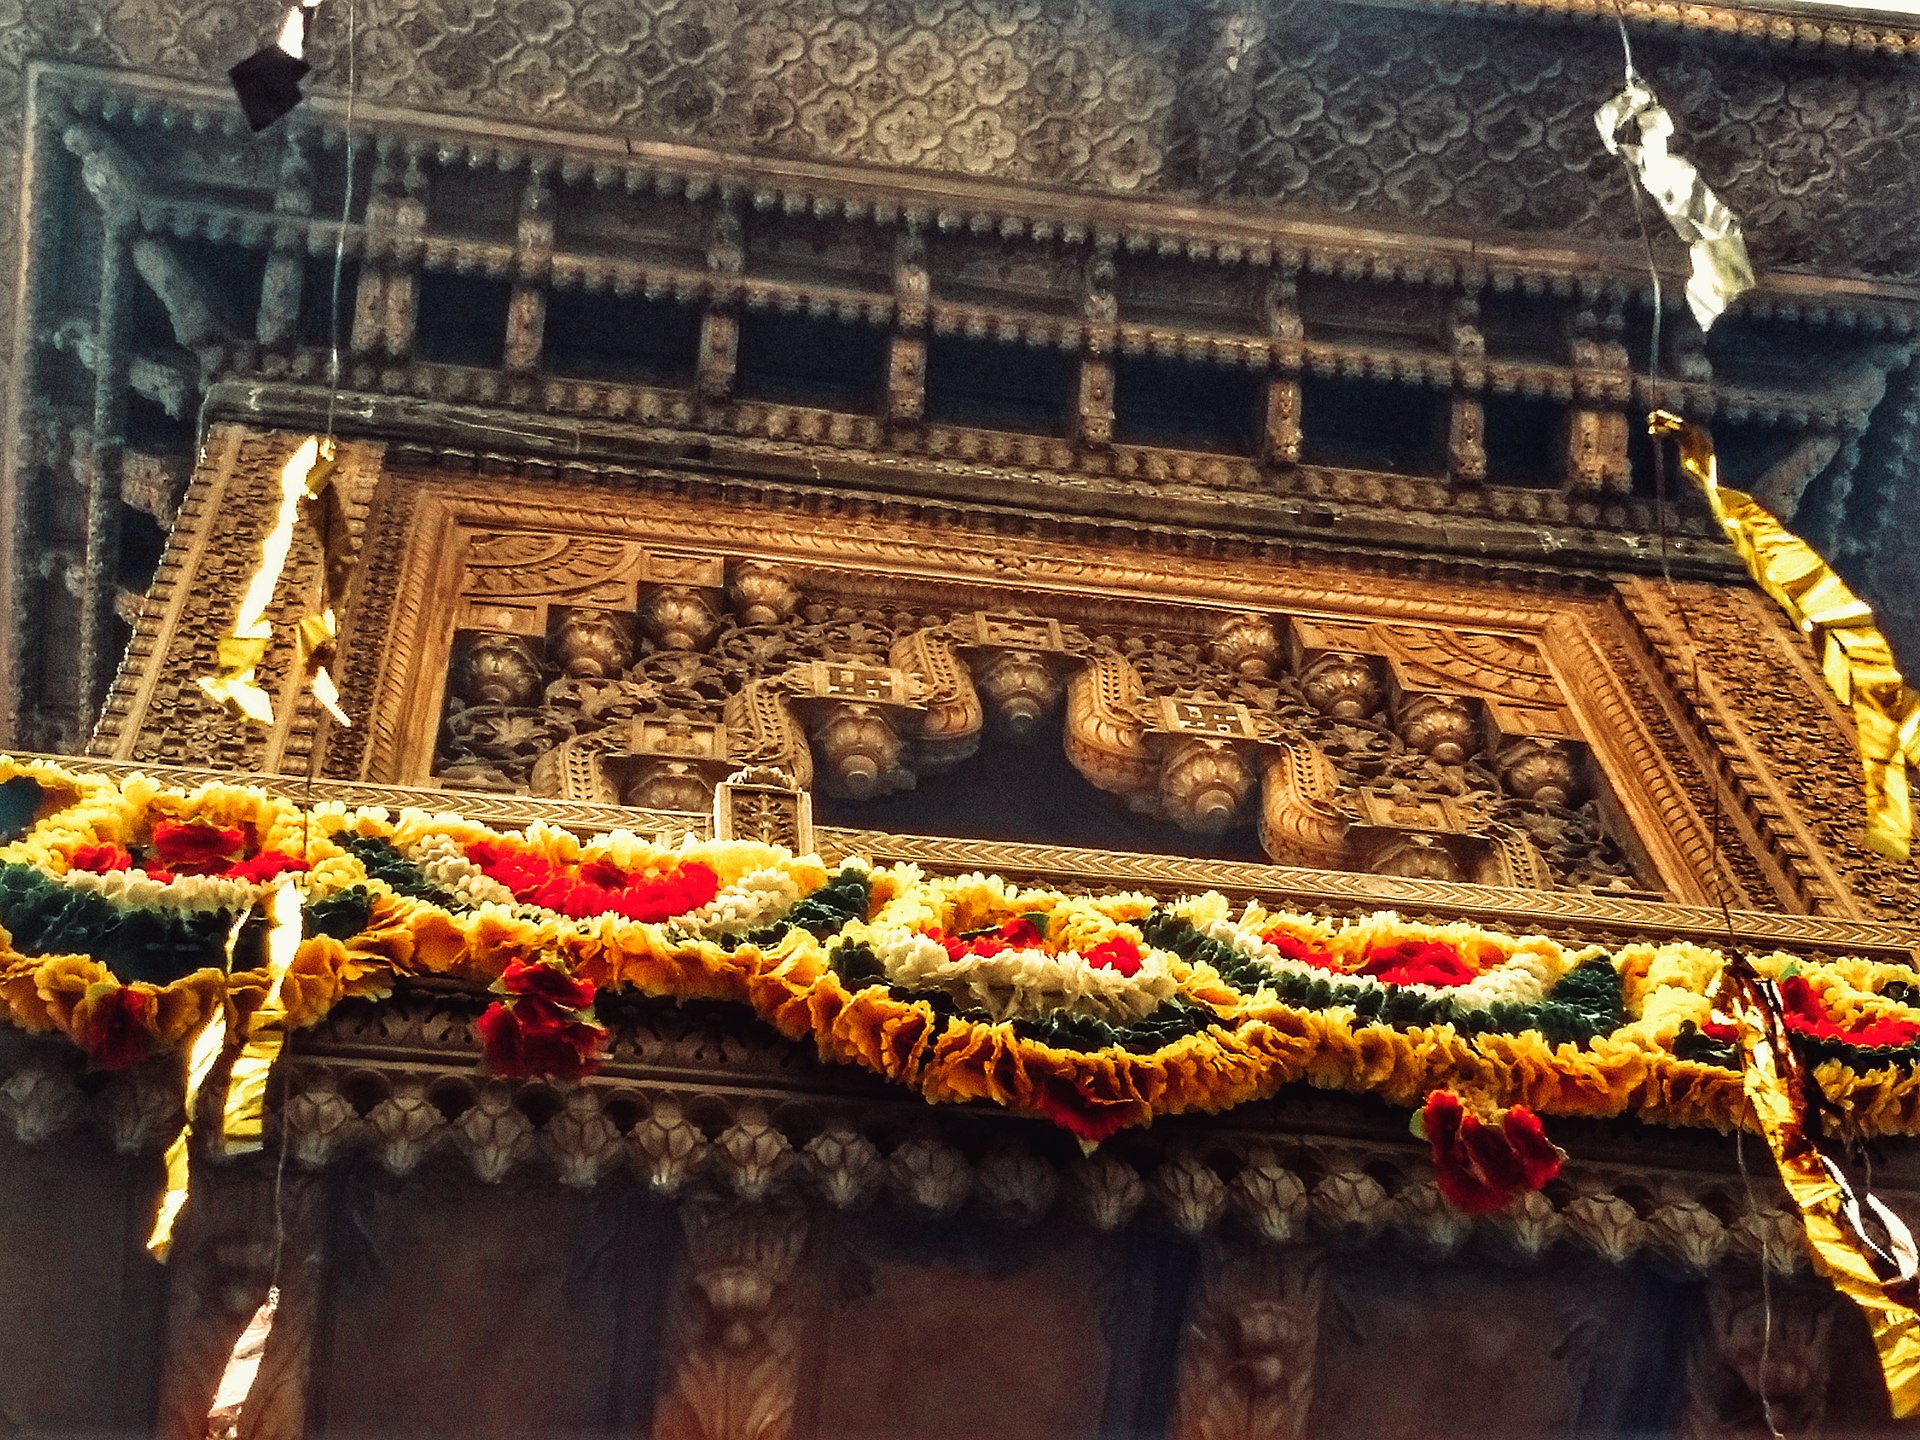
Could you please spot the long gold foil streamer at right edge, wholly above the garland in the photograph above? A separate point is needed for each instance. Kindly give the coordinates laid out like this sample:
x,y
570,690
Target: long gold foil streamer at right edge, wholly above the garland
x,y
1854,656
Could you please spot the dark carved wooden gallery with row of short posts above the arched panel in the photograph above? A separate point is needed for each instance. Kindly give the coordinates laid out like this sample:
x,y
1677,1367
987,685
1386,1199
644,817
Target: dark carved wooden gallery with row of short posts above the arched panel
x,y
1316,370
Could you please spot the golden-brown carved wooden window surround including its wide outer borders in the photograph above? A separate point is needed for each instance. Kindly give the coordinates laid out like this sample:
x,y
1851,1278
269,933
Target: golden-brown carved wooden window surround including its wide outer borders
x,y
636,646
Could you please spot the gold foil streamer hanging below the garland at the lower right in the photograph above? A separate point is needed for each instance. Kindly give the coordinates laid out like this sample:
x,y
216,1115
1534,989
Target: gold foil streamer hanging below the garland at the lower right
x,y
1877,1278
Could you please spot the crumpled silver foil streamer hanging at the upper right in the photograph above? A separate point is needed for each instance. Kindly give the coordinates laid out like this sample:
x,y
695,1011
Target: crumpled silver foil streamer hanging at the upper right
x,y
1637,128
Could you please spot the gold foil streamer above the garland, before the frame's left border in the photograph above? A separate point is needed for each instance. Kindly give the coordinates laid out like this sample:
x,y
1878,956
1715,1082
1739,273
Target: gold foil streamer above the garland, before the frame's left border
x,y
306,491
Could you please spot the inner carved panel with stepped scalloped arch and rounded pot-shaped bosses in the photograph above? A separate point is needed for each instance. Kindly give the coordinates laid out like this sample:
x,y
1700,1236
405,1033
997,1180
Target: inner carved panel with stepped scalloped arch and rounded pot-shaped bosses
x,y
640,654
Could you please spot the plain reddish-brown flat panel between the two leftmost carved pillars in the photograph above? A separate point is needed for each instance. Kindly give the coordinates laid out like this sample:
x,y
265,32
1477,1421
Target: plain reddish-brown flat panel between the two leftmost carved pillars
x,y
477,1289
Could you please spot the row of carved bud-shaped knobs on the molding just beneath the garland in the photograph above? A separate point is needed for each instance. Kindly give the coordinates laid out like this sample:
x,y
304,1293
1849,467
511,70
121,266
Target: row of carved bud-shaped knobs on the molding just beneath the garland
x,y
788,1134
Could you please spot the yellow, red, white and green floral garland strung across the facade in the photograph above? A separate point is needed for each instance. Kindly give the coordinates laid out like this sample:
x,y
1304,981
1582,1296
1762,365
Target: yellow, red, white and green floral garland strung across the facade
x,y
118,901
